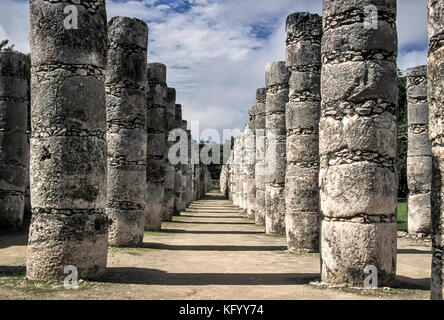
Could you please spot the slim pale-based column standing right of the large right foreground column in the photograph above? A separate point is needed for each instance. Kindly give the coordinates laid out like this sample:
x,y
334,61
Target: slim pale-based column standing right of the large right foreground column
x,y
419,154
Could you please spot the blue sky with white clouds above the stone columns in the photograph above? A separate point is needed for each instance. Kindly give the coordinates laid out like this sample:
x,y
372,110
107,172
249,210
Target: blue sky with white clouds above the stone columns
x,y
216,50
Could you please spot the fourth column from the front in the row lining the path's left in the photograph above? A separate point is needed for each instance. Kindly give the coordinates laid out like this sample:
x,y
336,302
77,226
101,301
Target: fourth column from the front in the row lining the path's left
x,y
170,115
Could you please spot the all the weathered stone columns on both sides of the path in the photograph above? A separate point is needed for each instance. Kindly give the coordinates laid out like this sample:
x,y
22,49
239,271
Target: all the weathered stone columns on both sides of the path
x,y
316,162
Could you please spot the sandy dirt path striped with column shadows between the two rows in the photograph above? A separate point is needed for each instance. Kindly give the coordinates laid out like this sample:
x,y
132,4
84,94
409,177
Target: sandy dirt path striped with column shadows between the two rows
x,y
209,252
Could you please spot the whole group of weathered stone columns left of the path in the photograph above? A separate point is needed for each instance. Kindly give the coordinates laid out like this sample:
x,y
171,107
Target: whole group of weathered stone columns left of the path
x,y
100,117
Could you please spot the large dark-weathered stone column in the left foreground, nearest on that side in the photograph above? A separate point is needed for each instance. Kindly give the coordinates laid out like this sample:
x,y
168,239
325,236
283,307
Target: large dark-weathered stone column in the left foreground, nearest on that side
x,y
69,224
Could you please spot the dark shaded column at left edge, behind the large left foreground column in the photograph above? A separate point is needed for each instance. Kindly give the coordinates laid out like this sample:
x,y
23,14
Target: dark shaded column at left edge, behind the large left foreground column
x,y
13,138
